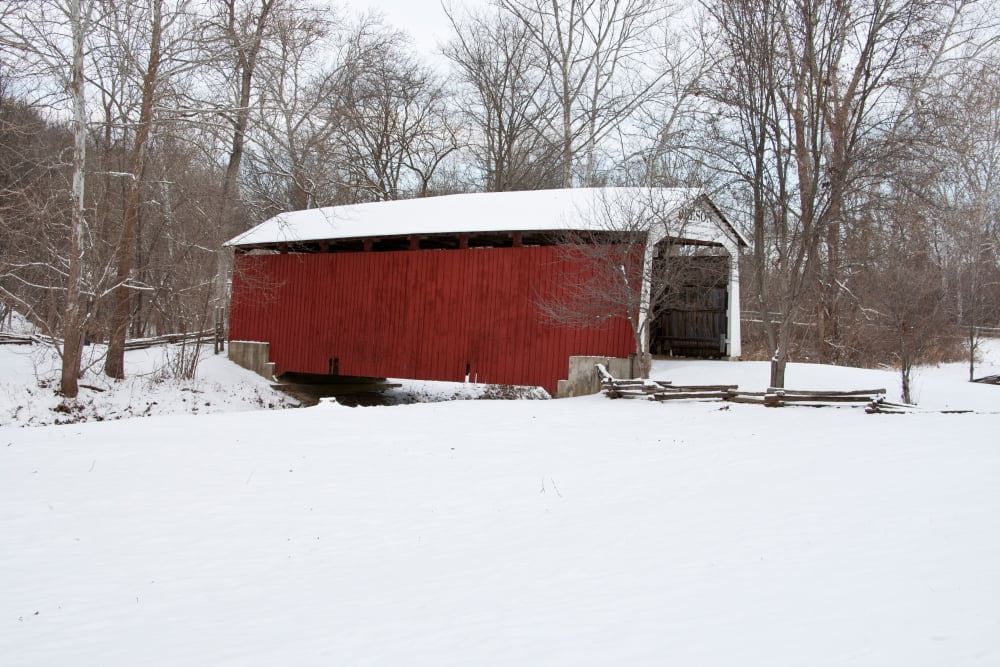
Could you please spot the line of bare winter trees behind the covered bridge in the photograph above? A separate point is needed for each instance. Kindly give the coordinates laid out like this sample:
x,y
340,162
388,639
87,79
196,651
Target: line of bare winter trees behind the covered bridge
x,y
857,141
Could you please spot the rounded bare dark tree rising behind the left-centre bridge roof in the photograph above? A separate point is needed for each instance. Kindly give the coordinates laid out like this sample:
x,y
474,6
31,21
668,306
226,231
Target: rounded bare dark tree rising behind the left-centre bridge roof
x,y
347,114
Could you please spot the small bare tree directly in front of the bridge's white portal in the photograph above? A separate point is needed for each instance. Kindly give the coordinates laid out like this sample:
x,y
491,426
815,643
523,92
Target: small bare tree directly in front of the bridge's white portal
x,y
641,257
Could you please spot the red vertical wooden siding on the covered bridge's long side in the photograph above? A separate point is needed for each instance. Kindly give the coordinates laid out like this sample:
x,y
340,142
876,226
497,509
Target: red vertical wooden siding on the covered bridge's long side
x,y
421,314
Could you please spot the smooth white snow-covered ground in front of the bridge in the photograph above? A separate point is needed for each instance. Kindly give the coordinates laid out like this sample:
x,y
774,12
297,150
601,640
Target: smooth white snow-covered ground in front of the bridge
x,y
577,532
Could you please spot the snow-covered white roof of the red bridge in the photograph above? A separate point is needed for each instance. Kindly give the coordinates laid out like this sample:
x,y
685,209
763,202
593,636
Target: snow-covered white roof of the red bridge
x,y
535,210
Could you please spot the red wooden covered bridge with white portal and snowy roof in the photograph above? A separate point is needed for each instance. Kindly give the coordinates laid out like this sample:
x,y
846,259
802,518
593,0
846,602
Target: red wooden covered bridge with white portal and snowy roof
x,y
449,288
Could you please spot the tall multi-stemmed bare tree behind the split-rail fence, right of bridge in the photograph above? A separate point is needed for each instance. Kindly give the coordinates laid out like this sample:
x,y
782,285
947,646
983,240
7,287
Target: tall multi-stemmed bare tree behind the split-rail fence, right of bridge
x,y
816,91
